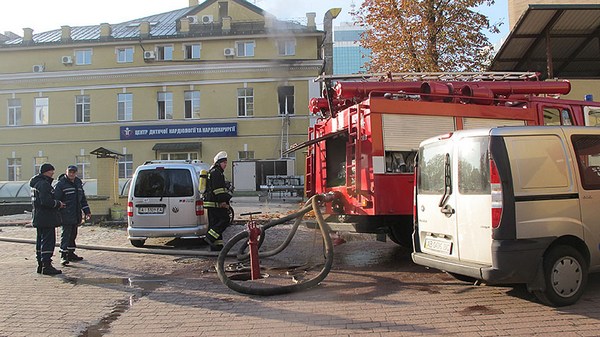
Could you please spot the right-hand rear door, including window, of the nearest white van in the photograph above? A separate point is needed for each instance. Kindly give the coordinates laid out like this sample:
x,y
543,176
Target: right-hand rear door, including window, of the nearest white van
x,y
473,200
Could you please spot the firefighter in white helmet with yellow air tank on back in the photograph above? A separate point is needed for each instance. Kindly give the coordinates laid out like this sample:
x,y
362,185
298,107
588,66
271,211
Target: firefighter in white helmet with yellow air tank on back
x,y
216,200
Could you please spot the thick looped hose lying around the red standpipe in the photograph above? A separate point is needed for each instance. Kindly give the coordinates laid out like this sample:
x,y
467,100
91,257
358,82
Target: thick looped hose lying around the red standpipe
x,y
278,290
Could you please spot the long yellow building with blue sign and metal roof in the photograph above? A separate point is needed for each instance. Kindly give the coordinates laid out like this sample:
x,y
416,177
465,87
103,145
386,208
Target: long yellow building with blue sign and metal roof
x,y
219,75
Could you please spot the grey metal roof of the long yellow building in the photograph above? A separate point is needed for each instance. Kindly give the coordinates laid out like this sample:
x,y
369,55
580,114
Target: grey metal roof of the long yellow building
x,y
164,25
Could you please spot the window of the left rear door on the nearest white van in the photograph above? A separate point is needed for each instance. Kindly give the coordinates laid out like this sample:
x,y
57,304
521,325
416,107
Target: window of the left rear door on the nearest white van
x,y
431,160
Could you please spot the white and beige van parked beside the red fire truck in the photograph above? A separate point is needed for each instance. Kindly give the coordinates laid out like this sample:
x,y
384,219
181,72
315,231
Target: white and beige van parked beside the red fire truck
x,y
512,205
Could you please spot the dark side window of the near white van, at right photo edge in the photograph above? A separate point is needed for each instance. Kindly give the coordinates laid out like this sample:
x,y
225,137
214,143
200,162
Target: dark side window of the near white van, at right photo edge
x,y
587,150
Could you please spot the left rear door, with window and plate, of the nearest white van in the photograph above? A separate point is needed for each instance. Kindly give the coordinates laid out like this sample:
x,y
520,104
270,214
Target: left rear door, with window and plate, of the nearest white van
x,y
436,219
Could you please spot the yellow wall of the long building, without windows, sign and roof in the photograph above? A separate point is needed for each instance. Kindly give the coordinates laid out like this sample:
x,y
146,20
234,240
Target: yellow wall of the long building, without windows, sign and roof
x,y
216,76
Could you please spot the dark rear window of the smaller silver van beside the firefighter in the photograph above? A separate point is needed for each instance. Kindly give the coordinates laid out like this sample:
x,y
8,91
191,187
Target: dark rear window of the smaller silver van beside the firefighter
x,y
164,183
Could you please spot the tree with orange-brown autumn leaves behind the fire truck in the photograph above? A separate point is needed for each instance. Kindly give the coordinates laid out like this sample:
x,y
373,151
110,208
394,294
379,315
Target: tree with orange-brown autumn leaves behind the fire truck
x,y
426,35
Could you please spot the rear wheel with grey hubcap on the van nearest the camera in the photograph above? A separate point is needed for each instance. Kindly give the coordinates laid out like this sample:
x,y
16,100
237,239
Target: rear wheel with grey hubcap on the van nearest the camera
x,y
565,276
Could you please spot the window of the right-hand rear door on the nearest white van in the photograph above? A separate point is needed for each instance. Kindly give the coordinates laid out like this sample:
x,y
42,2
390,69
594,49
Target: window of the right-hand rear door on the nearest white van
x,y
474,166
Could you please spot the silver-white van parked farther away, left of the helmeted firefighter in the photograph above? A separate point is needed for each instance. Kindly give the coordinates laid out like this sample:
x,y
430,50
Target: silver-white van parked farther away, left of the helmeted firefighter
x,y
165,200
